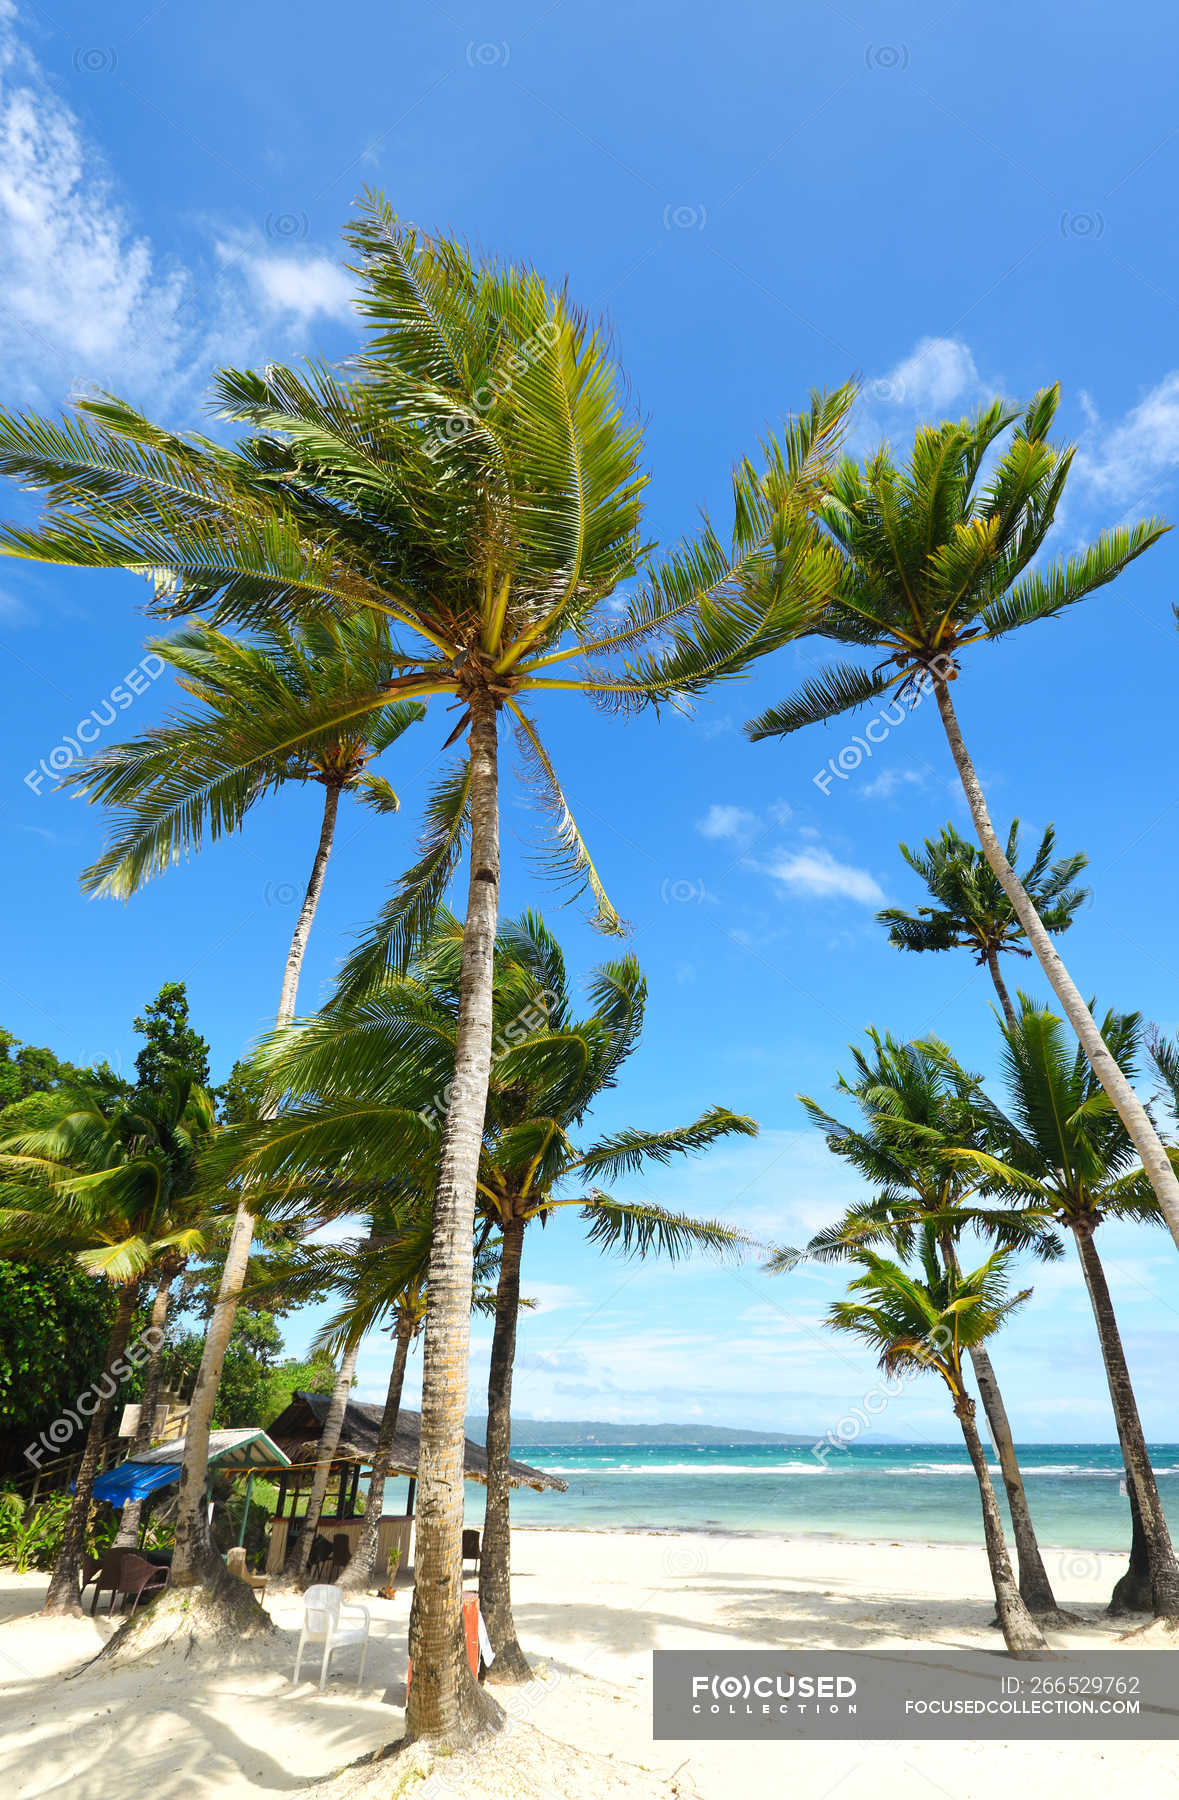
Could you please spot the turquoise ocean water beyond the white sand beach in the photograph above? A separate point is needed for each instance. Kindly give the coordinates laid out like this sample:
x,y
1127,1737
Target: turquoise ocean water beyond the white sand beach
x,y
917,1493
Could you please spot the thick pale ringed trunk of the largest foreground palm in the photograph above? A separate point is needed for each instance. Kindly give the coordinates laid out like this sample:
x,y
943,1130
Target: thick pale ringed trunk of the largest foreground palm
x,y
445,1704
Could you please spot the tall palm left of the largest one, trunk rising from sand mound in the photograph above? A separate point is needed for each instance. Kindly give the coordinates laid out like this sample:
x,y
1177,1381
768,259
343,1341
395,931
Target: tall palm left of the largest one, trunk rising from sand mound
x,y
267,715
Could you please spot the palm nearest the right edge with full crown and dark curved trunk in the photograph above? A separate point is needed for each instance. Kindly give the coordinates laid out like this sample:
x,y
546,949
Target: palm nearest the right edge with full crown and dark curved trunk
x,y
1063,1147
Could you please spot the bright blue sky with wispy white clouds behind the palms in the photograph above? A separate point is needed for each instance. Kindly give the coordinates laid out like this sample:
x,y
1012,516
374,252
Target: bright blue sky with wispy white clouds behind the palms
x,y
946,202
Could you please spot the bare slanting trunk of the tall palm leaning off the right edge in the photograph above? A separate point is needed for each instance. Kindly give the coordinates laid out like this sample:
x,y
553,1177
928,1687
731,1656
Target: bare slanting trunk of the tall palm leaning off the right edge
x,y
1106,1068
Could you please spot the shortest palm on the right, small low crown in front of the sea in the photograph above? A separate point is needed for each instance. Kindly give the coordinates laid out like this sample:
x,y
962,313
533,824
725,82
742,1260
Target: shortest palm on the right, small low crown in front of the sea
x,y
924,1324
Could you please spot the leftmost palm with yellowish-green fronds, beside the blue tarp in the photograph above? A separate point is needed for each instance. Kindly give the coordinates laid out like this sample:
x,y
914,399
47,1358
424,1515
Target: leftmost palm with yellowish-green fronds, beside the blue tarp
x,y
112,1183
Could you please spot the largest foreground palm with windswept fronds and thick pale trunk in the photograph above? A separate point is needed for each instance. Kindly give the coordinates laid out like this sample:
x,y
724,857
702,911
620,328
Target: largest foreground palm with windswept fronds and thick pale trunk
x,y
480,485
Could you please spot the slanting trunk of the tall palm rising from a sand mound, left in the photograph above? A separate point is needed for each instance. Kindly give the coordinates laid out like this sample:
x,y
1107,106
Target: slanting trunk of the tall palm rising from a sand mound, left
x,y
195,1558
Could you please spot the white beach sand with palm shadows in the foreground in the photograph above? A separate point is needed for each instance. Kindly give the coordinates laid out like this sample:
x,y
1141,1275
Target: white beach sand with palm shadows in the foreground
x,y
591,1608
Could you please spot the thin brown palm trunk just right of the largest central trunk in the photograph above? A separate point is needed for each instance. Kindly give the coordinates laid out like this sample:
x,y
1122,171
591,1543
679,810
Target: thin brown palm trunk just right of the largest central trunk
x,y
496,1551
